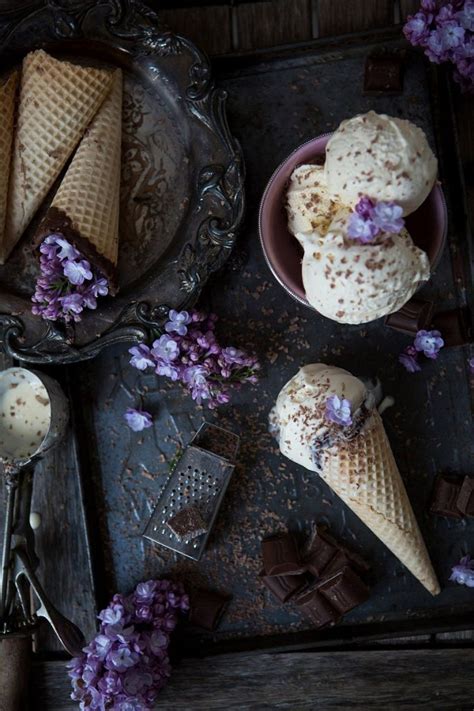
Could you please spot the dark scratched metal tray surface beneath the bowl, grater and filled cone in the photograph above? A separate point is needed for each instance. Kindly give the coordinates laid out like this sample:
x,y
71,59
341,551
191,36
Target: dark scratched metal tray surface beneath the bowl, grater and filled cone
x,y
273,107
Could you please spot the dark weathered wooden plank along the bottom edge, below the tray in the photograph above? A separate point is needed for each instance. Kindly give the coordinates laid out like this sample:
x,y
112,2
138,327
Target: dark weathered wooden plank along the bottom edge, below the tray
x,y
401,679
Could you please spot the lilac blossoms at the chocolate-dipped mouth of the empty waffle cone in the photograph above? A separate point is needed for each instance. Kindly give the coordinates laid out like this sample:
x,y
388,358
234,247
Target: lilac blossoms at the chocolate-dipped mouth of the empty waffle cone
x,y
68,283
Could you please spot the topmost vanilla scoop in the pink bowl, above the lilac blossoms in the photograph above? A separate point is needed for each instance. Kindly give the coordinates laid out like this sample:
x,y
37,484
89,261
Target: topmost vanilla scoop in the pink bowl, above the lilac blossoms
x,y
383,157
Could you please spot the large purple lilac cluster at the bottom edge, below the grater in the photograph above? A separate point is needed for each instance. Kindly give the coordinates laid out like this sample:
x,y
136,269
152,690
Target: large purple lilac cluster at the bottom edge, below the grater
x,y
127,663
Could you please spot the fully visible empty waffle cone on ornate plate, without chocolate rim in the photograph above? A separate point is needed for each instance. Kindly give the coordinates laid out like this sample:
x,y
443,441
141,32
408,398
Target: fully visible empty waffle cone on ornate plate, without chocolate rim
x,y
57,102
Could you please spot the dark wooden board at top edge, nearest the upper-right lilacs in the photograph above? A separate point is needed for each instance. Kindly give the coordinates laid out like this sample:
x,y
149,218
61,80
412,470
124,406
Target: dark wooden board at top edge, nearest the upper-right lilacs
x,y
338,17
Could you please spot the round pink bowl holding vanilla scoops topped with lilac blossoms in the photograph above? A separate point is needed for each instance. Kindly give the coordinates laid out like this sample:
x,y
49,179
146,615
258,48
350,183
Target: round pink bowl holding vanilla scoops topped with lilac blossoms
x,y
353,223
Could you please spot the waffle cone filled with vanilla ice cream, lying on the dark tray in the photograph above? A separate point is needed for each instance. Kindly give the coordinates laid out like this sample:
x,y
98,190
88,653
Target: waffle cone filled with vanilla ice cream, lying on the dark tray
x,y
354,459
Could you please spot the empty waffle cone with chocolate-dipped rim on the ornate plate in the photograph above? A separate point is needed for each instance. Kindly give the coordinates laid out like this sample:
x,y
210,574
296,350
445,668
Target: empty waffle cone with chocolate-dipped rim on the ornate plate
x,y
85,208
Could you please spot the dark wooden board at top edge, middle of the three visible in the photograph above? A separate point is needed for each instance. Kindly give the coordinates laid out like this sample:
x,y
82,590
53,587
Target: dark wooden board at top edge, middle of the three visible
x,y
266,24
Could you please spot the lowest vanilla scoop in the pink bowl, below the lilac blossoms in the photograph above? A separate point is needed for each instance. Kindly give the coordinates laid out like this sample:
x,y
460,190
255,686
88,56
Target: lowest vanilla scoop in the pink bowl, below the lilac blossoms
x,y
351,282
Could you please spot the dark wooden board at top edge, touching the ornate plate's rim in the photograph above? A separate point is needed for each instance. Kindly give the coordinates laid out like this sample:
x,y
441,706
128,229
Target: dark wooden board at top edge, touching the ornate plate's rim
x,y
209,27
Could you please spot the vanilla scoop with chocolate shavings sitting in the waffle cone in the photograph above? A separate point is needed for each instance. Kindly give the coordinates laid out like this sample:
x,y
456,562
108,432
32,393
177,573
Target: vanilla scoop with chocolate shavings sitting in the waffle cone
x,y
301,405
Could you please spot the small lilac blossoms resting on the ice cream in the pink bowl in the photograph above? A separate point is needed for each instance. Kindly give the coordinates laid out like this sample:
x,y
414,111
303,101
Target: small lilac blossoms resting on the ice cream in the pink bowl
x,y
370,218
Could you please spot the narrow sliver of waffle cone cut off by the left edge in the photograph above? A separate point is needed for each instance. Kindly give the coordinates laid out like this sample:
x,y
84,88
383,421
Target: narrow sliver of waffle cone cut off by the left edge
x,y
7,115
